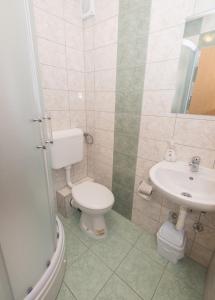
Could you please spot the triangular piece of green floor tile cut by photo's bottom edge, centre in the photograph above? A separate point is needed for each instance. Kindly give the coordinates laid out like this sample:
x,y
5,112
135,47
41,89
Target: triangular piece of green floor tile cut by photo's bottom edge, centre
x,y
116,289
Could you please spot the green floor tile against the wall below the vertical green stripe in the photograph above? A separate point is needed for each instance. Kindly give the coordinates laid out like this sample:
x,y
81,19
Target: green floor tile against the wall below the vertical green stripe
x,y
119,224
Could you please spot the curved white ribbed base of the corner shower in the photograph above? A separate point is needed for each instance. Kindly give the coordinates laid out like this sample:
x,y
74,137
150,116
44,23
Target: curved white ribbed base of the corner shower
x,y
49,285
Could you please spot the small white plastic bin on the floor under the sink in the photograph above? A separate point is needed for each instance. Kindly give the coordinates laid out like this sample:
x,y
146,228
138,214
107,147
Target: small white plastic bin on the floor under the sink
x,y
171,242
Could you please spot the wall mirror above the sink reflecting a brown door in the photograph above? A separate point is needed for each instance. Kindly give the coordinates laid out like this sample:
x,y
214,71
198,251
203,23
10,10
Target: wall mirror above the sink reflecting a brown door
x,y
195,86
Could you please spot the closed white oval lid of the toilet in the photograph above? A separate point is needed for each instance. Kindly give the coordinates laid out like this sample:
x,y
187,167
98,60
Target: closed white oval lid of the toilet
x,y
92,195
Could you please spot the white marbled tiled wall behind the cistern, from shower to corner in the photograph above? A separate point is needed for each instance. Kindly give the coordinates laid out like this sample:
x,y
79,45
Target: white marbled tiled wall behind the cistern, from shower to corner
x,y
59,31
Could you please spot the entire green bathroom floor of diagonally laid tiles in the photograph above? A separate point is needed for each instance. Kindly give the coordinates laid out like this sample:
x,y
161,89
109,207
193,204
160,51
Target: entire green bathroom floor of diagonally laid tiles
x,y
124,266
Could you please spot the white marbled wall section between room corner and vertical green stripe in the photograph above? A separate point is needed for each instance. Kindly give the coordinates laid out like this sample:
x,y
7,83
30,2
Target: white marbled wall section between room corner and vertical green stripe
x,y
100,42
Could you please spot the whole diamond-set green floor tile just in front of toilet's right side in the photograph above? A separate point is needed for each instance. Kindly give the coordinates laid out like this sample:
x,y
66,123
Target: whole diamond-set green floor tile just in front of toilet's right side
x,y
112,249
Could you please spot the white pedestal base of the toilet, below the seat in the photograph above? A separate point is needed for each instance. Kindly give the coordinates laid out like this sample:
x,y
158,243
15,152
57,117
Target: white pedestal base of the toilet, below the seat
x,y
93,225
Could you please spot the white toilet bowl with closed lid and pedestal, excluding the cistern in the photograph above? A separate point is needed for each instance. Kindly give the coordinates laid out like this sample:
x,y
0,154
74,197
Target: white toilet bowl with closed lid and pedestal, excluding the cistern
x,y
94,200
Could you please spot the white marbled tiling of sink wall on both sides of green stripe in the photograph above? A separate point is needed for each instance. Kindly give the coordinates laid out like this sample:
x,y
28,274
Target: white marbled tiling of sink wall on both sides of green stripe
x,y
192,135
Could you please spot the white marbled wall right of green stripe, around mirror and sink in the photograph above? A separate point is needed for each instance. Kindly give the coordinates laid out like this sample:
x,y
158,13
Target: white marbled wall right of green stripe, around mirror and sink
x,y
193,135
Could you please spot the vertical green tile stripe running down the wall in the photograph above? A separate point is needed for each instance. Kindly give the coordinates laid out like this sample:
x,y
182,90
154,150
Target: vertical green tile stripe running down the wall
x,y
134,17
